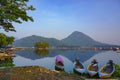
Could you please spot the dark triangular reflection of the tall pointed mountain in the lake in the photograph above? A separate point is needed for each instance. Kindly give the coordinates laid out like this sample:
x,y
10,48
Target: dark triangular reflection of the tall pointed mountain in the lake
x,y
83,55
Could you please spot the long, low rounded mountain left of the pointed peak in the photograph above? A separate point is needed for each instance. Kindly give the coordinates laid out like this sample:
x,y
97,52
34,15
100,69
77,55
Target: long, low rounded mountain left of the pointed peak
x,y
31,40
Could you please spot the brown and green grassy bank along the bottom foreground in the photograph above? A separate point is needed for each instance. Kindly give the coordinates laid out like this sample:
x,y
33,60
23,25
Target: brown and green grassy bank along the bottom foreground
x,y
40,73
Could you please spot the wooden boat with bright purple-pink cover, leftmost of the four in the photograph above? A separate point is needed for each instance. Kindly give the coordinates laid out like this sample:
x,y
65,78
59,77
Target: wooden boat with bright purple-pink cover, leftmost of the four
x,y
59,63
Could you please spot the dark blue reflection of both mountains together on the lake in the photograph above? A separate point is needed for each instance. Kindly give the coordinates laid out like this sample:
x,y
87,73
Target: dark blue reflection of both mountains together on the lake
x,y
83,55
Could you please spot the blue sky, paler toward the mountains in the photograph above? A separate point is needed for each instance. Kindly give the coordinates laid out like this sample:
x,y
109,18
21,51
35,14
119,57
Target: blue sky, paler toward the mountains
x,y
99,19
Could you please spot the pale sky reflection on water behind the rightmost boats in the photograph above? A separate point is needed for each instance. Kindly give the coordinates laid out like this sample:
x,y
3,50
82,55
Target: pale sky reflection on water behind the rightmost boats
x,y
103,58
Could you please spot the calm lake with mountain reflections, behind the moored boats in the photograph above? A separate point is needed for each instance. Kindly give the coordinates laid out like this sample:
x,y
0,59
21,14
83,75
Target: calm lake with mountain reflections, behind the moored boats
x,y
47,58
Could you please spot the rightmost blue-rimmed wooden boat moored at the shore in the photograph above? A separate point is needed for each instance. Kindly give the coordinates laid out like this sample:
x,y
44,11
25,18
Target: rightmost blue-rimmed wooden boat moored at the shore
x,y
106,72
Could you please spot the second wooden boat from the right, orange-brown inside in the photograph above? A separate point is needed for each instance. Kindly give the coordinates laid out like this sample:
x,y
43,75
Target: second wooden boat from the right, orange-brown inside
x,y
92,69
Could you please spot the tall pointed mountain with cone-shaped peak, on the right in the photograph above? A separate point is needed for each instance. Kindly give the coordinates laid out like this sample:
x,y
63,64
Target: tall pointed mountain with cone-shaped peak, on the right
x,y
80,39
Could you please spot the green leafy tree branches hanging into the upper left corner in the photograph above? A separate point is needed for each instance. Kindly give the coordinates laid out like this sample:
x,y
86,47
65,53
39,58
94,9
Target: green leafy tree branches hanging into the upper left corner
x,y
13,11
